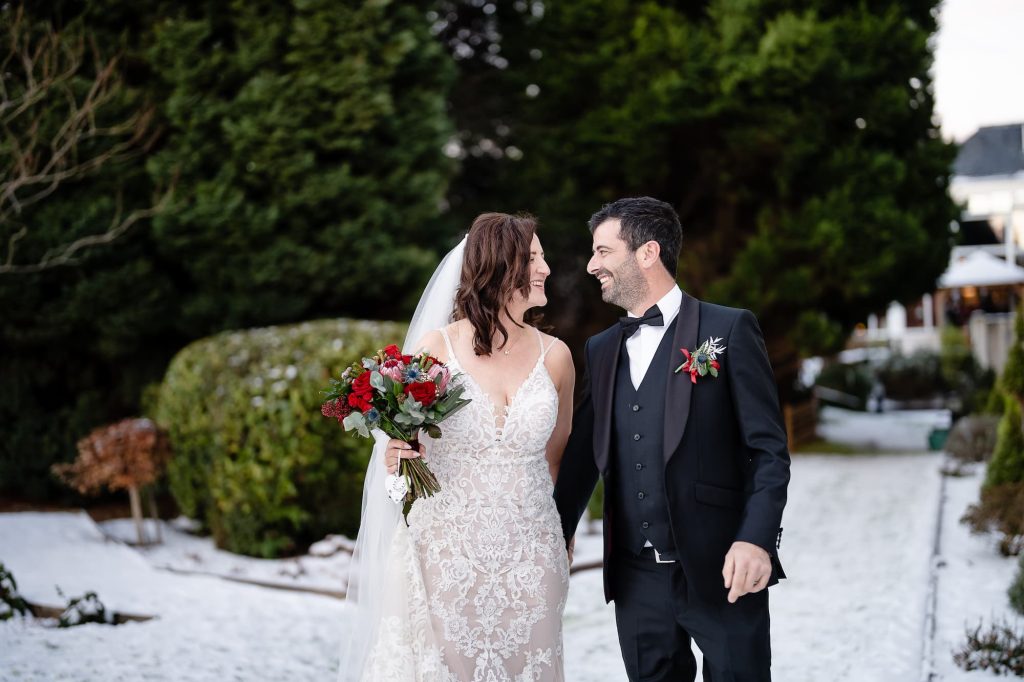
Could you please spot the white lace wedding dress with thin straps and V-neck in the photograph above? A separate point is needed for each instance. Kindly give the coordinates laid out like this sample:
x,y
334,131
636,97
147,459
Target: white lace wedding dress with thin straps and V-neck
x,y
478,582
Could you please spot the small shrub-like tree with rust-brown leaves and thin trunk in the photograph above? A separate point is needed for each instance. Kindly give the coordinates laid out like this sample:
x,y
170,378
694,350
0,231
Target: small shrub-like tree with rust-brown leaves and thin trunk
x,y
129,455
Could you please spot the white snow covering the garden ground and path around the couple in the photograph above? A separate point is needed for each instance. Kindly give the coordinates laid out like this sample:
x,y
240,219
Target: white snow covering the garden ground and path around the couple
x,y
861,532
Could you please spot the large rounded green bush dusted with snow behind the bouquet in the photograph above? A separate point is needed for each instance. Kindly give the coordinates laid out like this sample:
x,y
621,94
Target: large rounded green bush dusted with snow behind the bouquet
x,y
254,459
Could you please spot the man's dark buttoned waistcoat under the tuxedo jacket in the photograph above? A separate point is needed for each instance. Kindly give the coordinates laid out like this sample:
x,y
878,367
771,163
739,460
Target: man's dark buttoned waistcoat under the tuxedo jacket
x,y
642,510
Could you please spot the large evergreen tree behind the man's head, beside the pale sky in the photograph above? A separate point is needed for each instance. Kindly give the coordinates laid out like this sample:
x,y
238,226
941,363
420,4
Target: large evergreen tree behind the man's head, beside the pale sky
x,y
796,141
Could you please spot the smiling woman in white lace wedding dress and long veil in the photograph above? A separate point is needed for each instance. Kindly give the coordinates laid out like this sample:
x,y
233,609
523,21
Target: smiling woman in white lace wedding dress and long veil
x,y
475,588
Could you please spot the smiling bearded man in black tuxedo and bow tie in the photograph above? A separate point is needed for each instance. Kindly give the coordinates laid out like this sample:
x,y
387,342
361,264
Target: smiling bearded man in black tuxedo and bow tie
x,y
695,460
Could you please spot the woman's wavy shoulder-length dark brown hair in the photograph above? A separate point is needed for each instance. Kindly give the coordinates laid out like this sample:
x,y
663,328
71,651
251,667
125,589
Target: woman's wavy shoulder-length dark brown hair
x,y
495,268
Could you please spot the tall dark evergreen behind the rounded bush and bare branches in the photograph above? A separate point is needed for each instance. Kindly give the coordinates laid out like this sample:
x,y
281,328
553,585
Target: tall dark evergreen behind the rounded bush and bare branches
x,y
305,144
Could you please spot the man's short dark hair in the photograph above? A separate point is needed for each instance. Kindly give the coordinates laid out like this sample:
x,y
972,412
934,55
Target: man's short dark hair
x,y
646,220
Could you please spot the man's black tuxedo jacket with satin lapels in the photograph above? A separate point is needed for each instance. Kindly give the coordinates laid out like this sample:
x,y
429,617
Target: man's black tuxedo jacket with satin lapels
x,y
727,459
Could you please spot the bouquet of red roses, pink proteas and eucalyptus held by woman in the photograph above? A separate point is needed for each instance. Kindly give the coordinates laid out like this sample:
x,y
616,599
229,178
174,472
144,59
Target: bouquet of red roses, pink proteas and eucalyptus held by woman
x,y
399,395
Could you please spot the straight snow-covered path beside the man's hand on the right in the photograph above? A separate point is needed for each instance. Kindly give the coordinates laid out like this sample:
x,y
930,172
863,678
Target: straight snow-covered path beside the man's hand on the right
x,y
858,547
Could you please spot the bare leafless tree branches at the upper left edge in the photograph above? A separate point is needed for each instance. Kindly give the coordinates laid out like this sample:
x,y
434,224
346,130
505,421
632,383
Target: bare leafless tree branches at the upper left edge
x,y
42,71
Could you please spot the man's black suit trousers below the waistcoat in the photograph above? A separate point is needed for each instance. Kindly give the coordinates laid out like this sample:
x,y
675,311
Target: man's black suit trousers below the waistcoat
x,y
657,623
